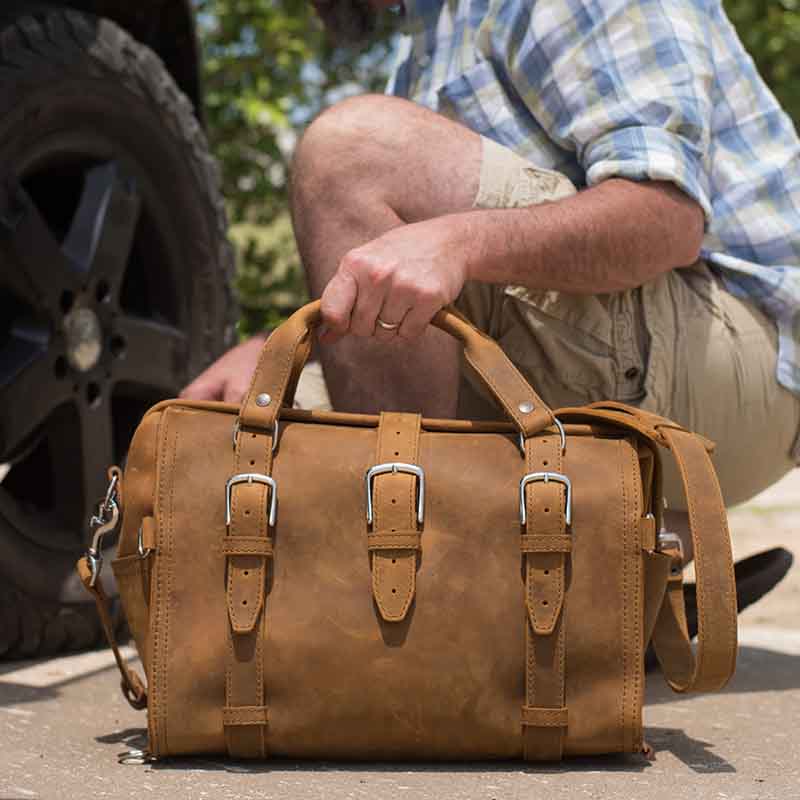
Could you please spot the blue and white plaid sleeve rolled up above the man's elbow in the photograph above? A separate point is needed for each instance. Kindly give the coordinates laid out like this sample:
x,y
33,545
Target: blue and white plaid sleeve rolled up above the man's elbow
x,y
626,86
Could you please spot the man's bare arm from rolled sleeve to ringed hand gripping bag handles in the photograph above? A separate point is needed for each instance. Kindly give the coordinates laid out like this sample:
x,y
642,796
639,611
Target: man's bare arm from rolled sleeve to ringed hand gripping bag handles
x,y
614,236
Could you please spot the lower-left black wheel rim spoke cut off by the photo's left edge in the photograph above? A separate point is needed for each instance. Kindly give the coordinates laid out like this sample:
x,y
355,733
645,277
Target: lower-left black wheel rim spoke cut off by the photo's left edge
x,y
29,391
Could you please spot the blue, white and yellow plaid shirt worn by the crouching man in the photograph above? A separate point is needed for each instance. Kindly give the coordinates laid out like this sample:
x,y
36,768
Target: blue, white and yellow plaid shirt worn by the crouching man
x,y
638,89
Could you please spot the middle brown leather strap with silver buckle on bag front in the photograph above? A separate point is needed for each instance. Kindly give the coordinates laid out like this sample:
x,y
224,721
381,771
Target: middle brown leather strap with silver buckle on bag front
x,y
395,509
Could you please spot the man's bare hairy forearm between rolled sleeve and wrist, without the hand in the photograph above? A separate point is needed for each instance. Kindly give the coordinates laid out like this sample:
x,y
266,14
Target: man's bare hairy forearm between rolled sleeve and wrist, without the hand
x,y
614,236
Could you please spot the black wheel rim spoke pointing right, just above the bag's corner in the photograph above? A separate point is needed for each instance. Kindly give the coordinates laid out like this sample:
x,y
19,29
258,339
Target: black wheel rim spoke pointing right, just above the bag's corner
x,y
150,354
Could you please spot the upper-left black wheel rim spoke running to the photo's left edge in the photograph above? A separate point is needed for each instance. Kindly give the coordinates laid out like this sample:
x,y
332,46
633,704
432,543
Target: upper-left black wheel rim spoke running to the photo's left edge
x,y
32,259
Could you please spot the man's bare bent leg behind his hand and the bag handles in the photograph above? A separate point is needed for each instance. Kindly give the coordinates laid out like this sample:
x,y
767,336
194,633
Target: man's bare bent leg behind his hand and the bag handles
x,y
363,167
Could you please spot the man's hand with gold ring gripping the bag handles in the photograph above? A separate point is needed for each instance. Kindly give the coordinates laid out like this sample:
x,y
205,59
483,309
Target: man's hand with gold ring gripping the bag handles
x,y
404,277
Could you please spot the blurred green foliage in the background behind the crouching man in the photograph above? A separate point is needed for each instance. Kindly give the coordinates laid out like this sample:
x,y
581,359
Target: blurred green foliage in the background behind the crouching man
x,y
269,68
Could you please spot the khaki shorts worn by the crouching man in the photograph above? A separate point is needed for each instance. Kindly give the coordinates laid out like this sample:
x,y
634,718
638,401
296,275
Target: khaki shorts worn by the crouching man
x,y
680,346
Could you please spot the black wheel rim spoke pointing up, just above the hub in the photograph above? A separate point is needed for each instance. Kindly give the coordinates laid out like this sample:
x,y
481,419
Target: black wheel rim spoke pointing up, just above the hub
x,y
101,233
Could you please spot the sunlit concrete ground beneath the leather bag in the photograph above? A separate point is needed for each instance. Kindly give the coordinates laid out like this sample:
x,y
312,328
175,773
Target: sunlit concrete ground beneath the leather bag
x,y
63,723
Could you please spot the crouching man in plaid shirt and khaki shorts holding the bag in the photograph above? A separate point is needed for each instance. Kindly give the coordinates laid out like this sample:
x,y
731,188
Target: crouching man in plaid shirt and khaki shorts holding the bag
x,y
670,279
